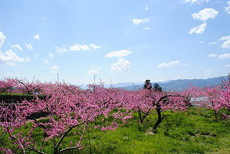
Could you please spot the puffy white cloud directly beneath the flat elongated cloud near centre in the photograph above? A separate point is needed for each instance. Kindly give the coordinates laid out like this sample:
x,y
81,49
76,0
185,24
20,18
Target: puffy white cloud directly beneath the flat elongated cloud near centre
x,y
121,65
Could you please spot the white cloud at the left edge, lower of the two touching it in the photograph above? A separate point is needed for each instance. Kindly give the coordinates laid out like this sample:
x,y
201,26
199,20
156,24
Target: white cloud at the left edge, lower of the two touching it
x,y
10,57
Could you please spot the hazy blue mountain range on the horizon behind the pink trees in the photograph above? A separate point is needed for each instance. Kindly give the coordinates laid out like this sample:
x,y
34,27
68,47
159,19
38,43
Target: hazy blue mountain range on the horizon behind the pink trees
x,y
181,84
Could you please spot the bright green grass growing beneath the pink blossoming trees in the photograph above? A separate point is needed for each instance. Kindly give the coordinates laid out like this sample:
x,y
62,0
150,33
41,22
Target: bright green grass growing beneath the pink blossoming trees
x,y
193,131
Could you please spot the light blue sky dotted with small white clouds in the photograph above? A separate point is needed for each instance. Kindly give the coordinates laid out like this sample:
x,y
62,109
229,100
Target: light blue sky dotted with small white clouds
x,y
118,40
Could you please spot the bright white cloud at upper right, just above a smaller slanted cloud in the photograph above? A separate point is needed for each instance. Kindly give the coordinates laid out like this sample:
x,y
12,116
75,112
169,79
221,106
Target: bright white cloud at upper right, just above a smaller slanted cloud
x,y
205,14
